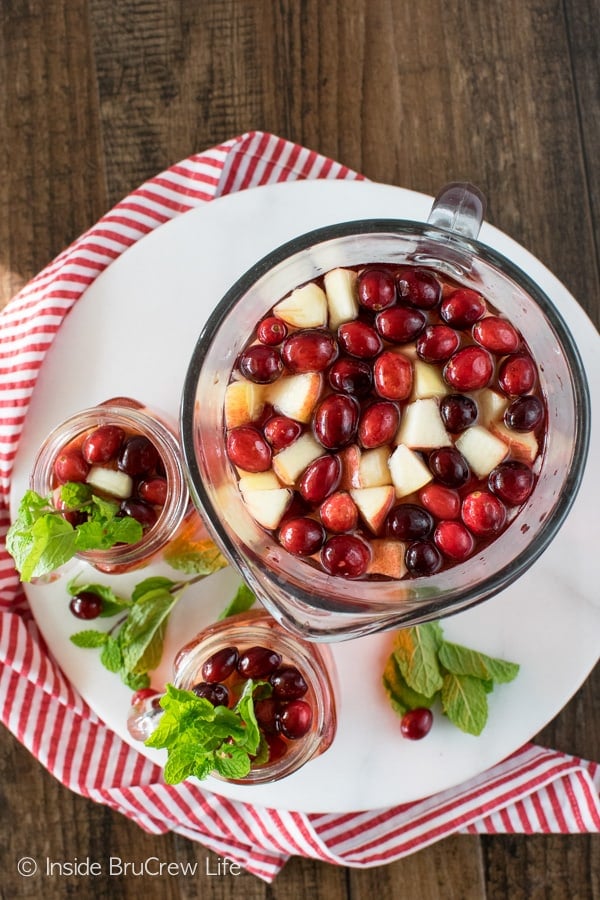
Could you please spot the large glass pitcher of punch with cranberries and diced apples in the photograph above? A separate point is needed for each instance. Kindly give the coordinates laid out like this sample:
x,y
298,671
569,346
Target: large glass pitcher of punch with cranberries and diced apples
x,y
402,417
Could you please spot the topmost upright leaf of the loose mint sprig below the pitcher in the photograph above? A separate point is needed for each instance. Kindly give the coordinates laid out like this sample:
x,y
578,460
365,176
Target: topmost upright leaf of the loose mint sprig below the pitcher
x,y
415,651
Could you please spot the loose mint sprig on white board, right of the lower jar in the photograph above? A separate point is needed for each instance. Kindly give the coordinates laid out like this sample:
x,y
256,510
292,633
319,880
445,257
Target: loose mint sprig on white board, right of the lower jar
x,y
424,668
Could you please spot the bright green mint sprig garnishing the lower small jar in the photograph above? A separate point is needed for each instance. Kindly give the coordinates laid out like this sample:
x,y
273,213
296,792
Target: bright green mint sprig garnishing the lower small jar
x,y
201,738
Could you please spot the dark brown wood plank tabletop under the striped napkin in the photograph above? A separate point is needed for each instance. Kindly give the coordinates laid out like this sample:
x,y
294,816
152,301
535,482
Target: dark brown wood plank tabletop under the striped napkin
x,y
98,95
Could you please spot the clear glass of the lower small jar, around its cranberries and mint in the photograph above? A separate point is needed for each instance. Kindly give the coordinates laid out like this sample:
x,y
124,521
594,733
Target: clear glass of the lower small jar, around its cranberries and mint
x,y
256,628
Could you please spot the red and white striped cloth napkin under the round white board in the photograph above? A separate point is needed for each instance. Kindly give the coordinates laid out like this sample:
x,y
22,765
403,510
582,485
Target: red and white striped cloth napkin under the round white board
x,y
534,790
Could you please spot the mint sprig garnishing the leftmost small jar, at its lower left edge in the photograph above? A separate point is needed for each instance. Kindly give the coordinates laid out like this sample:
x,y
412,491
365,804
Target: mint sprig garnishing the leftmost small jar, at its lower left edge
x,y
41,540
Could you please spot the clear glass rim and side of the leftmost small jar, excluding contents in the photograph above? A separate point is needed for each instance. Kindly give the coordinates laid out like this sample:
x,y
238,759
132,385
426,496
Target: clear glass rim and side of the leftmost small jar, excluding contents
x,y
135,419
